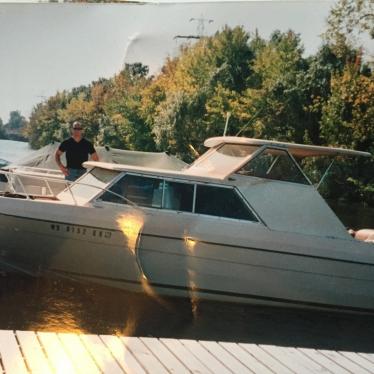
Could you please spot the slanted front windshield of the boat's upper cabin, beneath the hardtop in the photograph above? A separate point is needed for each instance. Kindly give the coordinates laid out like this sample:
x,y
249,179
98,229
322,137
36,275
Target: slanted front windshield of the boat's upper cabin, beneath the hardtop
x,y
224,159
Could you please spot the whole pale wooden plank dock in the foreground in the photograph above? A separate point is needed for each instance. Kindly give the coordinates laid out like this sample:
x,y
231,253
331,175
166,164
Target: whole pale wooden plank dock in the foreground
x,y
48,352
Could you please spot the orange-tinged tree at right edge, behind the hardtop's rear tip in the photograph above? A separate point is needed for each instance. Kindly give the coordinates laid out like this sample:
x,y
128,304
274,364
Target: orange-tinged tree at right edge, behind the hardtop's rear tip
x,y
347,120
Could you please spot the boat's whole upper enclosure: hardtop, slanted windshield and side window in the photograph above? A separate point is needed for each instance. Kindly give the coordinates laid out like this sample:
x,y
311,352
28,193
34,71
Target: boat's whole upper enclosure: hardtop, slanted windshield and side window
x,y
260,158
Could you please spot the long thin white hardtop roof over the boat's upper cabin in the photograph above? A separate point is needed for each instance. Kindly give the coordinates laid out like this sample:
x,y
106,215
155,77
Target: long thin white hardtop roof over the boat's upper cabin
x,y
297,150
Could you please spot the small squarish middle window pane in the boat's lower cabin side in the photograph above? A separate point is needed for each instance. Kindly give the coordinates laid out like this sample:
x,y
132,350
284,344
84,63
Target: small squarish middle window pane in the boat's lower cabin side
x,y
178,196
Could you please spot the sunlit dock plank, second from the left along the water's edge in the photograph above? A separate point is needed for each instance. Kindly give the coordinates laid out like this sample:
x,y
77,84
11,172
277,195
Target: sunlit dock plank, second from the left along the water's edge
x,y
32,350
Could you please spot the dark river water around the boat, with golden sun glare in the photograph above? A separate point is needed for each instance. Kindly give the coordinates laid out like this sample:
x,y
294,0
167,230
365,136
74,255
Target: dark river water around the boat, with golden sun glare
x,y
57,304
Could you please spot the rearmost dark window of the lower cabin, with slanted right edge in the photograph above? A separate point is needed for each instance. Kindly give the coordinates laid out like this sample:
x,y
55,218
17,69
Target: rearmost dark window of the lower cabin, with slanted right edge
x,y
222,202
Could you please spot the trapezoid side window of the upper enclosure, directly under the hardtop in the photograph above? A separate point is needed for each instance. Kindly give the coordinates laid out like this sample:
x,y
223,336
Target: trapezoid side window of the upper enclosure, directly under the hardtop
x,y
274,164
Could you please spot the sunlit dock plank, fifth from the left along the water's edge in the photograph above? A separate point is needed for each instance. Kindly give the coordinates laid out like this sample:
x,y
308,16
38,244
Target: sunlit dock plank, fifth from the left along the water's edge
x,y
101,354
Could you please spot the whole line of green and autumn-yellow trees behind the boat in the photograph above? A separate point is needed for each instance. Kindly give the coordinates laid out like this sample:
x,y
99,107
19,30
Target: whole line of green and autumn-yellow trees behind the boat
x,y
268,88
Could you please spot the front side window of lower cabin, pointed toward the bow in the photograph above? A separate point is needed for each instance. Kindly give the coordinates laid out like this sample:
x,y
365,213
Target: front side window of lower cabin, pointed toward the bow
x,y
140,190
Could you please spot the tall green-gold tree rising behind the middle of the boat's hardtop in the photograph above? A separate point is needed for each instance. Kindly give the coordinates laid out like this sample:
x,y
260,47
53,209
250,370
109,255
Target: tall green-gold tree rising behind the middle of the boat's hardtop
x,y
277,93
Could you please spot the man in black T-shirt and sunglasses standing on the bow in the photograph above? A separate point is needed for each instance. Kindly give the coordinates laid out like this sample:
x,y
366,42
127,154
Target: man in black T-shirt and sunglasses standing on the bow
x,y
77,150
